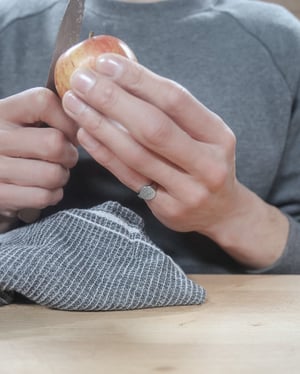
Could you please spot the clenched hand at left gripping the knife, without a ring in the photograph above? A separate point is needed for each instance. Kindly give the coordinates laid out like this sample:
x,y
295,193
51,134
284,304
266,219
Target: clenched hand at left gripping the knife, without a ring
x,y
34,161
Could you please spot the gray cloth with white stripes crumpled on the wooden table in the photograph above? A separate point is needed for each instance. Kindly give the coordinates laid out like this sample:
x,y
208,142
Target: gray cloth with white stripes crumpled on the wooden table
x,y
91,259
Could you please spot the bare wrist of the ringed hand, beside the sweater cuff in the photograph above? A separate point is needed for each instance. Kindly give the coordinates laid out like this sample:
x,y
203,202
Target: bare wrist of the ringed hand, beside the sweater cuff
x,y
253,232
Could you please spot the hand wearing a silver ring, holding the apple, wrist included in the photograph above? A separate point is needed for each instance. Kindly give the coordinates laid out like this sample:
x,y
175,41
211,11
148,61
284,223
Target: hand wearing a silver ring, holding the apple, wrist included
x,y
171,139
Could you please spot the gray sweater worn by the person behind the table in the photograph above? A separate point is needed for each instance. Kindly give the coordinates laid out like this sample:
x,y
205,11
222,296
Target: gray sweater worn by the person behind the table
x,y
240,58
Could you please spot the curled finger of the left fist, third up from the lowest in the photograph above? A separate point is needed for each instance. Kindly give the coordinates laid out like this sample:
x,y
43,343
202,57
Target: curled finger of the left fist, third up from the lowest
x,y
38,143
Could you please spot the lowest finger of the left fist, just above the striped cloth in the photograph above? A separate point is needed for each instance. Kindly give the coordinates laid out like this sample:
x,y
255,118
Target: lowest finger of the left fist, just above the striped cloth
x,y
14,198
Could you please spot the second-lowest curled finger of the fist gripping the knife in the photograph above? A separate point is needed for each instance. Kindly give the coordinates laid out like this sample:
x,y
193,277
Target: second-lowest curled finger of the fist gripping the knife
x,y
32,173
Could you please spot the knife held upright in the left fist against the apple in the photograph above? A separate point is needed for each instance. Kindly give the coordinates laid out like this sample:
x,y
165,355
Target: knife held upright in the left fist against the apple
x,y
68,35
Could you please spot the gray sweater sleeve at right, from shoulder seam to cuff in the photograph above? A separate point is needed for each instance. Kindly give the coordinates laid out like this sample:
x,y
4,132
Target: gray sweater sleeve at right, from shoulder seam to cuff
x,y
279,32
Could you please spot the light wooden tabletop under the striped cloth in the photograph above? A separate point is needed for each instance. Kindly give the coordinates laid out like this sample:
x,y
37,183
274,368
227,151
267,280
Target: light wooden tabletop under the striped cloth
x,y
249,324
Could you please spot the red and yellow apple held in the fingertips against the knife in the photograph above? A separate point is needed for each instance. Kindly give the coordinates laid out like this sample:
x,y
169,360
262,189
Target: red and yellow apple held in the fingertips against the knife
x,y
84,54
